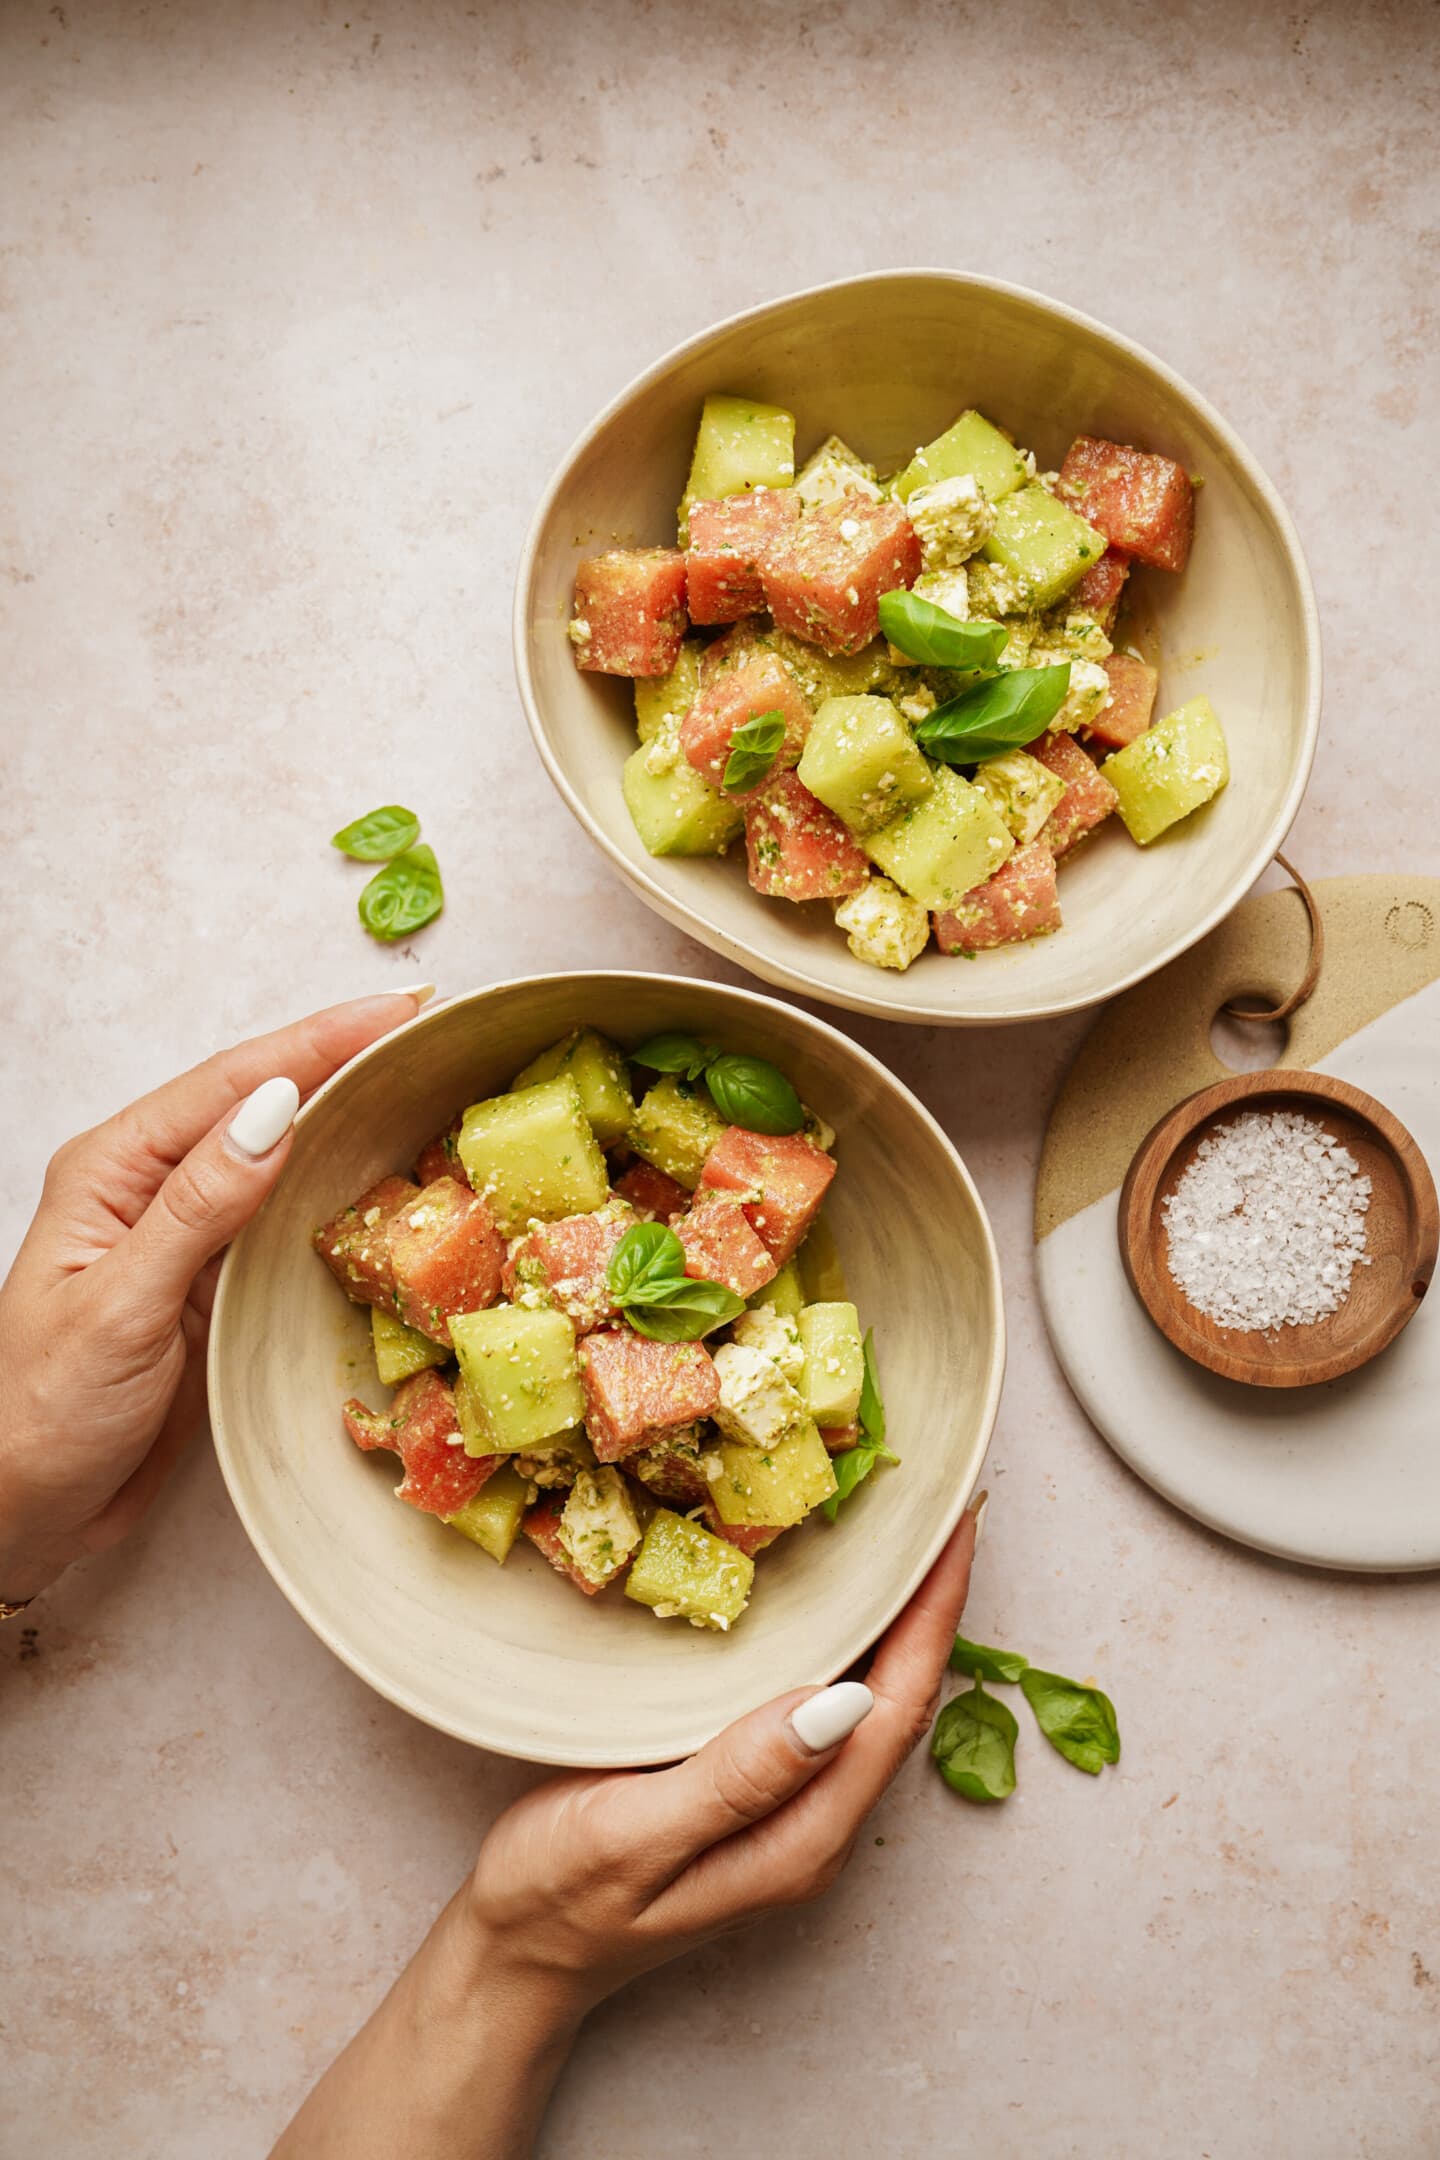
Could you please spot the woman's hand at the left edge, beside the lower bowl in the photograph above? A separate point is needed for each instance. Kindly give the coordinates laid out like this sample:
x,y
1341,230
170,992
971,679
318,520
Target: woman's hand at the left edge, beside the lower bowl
x,y
105,1314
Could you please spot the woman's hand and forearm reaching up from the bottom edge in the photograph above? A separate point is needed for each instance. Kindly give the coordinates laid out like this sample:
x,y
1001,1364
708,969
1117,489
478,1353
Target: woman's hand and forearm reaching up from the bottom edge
x,y
593,1880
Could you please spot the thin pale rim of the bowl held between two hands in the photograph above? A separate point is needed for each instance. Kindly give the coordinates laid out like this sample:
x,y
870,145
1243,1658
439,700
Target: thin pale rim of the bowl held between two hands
x,y
919,1561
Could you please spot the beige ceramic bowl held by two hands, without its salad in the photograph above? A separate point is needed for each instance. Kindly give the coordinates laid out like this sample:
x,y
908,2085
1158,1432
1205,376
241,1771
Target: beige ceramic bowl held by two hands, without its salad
x,y
513,1658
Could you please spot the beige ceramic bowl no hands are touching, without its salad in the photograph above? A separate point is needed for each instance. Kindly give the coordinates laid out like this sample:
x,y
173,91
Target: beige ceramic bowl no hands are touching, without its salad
x,y
888,362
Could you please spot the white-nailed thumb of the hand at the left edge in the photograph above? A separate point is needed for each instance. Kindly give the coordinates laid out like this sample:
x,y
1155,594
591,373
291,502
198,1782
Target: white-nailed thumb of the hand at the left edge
x,y
208,1198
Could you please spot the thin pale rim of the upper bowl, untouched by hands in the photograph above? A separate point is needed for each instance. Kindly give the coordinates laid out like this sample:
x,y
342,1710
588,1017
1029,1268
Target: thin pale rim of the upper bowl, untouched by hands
x,y
755,958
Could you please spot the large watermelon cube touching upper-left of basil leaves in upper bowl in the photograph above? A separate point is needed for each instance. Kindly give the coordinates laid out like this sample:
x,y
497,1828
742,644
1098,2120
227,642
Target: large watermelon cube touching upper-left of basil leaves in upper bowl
x,y
824,580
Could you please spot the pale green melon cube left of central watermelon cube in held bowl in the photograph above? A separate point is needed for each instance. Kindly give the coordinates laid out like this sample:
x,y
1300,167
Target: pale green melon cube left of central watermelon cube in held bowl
x,y
519,1377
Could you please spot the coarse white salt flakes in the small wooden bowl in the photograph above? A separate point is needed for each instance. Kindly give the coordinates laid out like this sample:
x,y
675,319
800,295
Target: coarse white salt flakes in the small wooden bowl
x,y
1268,1224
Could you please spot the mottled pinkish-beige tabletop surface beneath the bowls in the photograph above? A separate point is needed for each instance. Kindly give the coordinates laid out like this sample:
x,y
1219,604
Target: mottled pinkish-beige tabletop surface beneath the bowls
x,y
299,310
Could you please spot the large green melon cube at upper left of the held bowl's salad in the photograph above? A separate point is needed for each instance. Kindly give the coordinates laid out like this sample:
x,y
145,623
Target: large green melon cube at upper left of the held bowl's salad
x,y
534,1155
